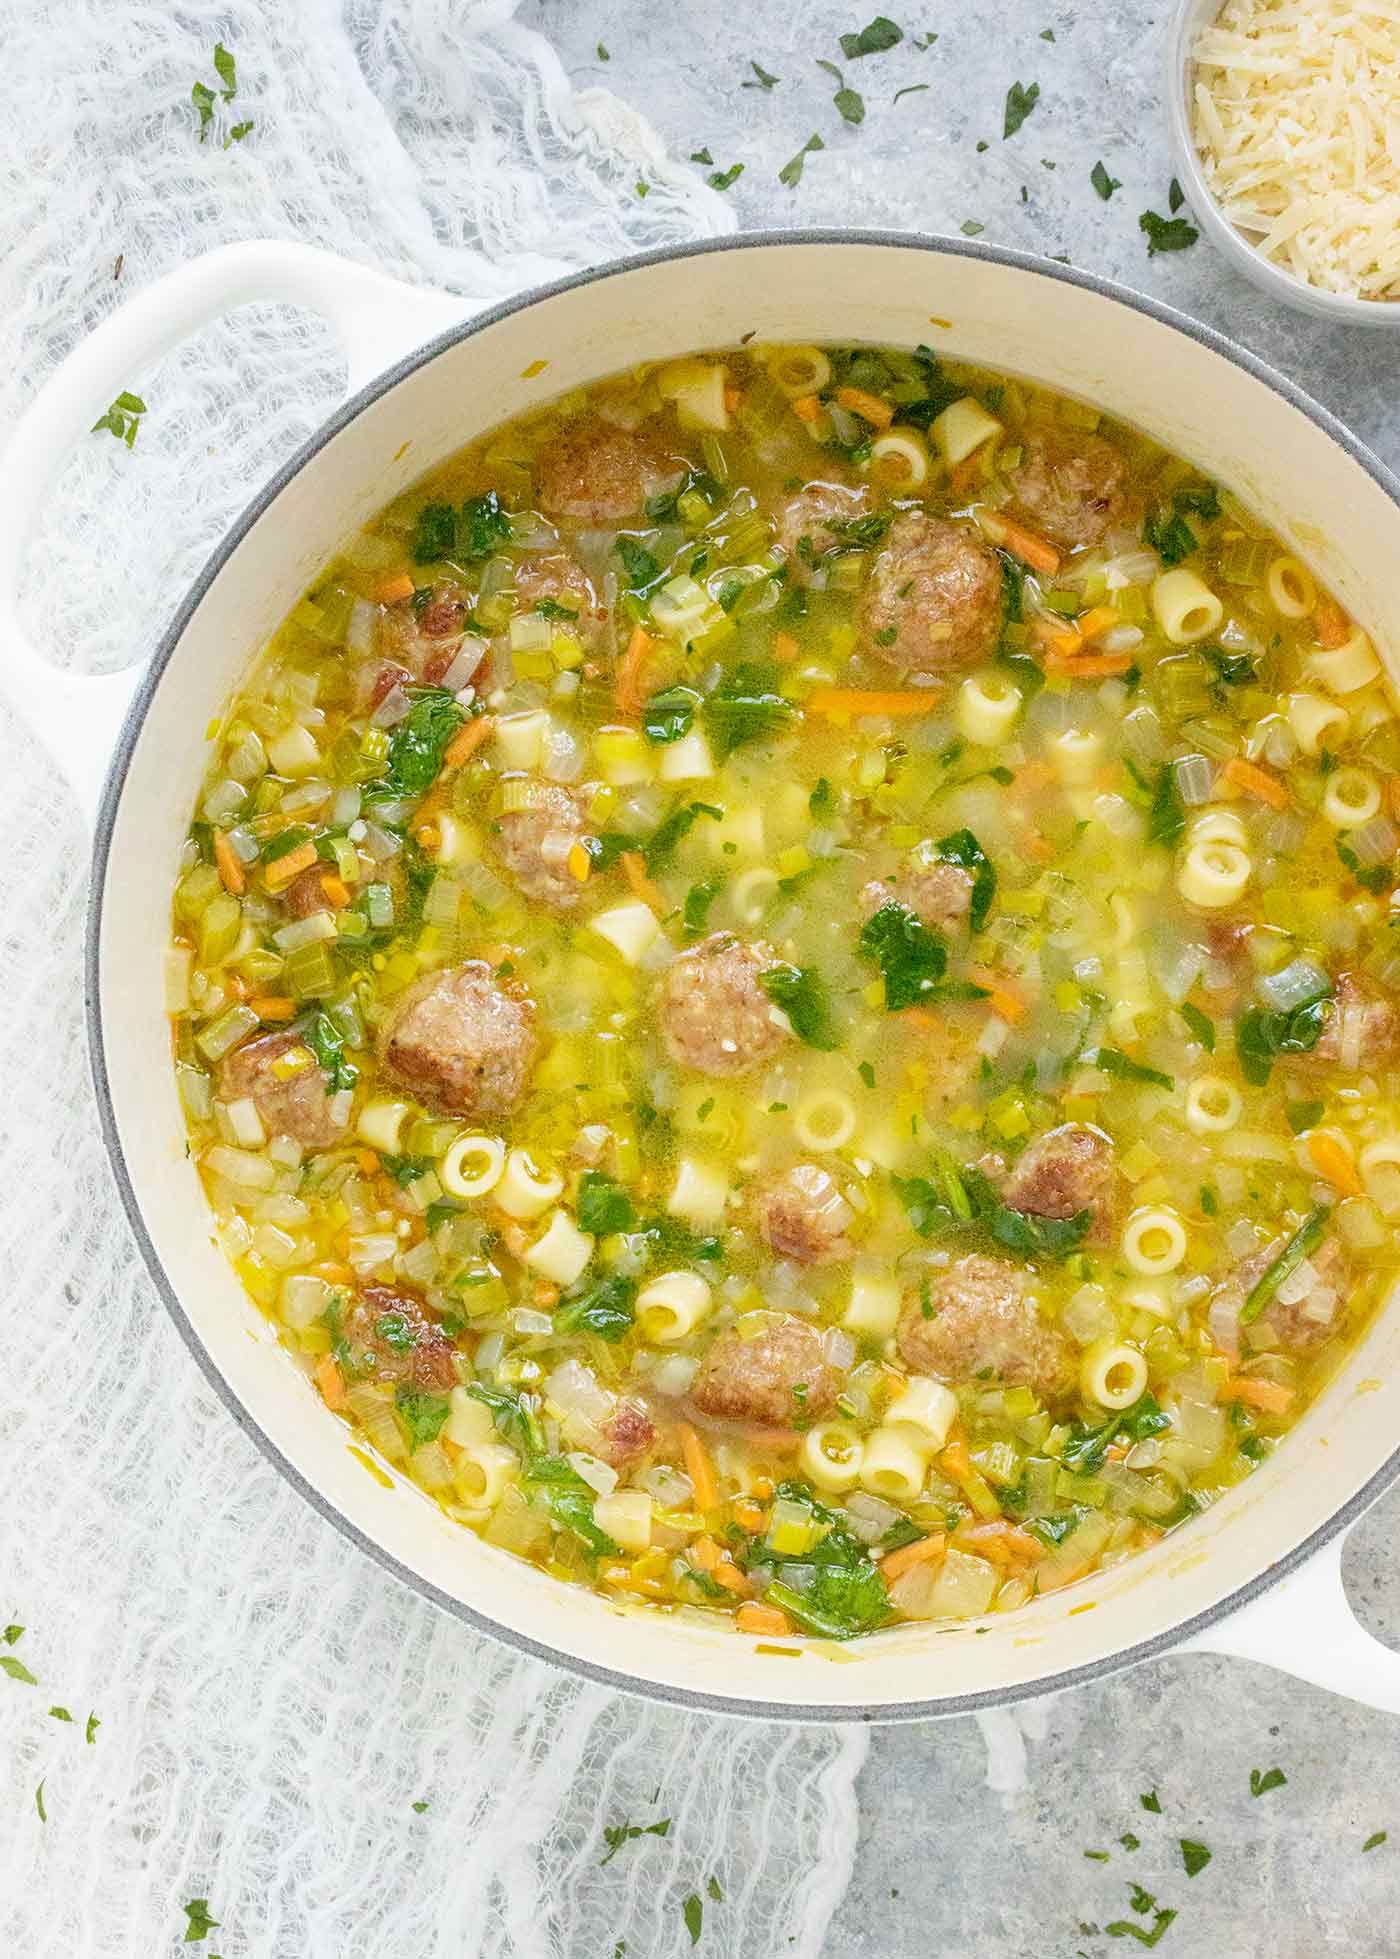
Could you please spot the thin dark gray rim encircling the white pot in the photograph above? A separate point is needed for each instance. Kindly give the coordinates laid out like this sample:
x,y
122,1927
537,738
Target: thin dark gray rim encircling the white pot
x,y
1131,1656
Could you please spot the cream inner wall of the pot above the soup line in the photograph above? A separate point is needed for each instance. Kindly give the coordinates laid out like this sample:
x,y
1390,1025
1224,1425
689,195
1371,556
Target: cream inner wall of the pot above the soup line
x,y
1002,314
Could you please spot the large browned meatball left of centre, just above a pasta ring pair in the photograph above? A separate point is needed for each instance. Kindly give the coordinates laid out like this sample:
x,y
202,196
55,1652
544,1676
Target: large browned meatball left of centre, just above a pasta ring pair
x,y
461,1041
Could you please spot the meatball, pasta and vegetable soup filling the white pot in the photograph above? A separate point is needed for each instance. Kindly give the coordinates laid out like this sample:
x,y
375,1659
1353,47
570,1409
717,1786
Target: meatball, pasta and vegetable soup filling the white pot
x,y
784,984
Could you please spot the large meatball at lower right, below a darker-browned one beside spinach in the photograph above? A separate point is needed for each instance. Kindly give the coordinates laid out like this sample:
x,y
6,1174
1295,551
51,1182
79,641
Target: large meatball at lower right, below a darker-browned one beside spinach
x,y
980,1315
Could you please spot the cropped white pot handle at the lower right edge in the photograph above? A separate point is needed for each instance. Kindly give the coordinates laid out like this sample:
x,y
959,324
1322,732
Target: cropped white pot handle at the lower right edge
x,y
1305,1627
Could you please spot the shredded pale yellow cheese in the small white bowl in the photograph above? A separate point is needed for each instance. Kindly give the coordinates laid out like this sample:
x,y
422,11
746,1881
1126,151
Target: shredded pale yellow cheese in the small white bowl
x,y
1297,119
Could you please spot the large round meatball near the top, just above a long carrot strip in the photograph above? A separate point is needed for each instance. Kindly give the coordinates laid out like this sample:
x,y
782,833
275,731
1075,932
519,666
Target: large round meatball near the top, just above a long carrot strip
x,y
935,597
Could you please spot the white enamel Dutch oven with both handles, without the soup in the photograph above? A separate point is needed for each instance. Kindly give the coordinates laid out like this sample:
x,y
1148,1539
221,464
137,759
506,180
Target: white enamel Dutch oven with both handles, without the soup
x,y
1260,1574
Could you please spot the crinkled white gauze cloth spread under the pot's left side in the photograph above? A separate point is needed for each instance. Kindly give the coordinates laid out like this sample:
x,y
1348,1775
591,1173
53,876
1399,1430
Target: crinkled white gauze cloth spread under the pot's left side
x,y
271,1705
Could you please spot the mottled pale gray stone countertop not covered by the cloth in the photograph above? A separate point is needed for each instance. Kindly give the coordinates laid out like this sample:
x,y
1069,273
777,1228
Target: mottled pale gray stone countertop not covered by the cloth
x,y
947,1870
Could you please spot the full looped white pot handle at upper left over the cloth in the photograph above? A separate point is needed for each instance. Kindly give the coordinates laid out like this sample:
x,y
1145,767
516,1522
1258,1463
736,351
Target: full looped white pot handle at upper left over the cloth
x,y
377,320
